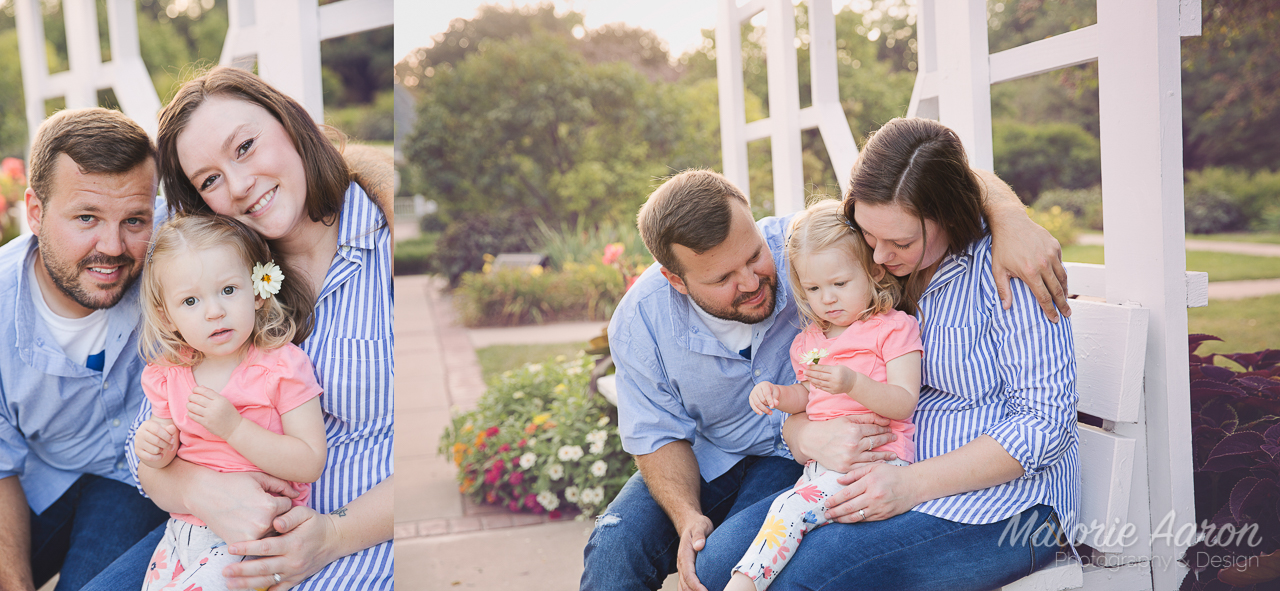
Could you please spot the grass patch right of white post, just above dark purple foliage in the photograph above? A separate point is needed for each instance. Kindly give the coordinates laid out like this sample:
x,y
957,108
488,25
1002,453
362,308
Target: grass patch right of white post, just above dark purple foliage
x,y
1245,326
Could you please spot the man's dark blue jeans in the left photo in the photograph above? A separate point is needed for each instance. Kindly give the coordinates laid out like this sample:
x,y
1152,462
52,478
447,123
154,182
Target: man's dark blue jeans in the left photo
x,y
85,530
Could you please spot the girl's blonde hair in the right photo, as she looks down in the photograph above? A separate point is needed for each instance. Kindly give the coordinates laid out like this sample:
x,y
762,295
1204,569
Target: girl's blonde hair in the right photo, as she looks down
x,y
820,227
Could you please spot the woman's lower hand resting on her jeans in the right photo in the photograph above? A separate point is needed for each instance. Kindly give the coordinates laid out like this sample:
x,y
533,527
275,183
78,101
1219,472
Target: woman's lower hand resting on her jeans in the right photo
x,y
879,491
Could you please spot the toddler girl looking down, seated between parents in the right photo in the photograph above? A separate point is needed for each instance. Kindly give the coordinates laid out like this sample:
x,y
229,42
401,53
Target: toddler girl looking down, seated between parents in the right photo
x,y
857,355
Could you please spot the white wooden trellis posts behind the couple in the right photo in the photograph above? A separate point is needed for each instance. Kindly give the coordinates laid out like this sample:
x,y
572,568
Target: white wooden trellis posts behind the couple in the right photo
x,y
787,120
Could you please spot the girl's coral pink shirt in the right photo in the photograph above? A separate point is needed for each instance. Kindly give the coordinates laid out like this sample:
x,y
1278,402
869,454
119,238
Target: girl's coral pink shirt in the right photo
x,y
865,347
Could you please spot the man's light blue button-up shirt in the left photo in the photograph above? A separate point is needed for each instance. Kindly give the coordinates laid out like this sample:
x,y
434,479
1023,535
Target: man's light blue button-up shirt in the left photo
x,y
60,419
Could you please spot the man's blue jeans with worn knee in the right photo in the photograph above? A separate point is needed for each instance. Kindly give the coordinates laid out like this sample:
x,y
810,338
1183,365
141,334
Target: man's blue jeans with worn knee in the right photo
x,y
634,543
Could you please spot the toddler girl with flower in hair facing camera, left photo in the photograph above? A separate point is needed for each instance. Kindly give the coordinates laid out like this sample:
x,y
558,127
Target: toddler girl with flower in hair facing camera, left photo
x,y
227,388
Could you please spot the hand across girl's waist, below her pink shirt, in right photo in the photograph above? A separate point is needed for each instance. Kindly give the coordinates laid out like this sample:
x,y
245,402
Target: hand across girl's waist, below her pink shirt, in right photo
x,y
839,445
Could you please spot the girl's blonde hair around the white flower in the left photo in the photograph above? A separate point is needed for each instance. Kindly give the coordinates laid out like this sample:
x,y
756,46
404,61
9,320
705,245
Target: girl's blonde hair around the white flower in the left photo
x,y
284,318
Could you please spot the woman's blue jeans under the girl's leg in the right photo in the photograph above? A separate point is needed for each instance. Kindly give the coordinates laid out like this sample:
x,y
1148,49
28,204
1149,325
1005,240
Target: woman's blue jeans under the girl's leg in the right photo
x,y
909,552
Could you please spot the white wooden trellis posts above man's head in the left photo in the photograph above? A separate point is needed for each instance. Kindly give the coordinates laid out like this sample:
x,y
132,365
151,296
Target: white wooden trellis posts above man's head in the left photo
x,y
125,75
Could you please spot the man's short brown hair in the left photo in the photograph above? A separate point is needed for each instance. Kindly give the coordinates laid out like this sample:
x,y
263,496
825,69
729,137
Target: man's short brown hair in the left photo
x,y
100,141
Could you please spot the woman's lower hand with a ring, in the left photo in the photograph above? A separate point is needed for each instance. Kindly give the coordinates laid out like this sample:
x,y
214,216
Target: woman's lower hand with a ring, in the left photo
x,y
307,544
